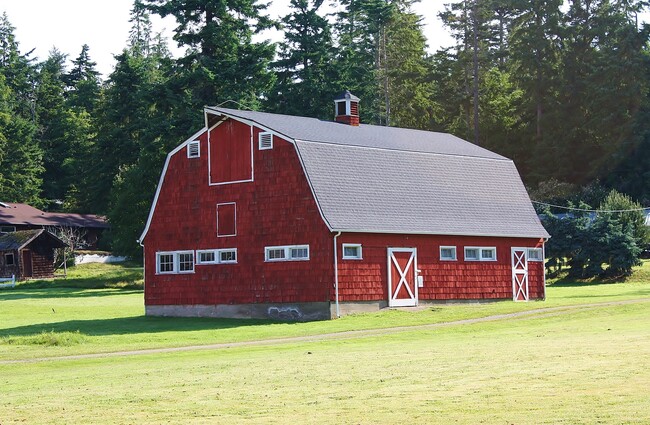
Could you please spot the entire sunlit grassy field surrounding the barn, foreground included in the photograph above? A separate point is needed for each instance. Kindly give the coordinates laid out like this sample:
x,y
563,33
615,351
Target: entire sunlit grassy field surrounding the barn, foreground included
x,y
569,361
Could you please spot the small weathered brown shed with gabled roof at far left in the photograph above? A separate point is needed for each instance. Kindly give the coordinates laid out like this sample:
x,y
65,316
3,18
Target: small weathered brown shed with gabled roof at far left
x,y
28,254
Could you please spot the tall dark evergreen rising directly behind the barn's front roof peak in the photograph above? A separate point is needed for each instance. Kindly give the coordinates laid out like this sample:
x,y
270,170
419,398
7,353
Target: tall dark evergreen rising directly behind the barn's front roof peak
x,y
221,61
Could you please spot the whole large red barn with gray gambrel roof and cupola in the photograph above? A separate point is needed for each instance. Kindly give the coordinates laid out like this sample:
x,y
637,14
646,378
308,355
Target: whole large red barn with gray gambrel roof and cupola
x,y
273,216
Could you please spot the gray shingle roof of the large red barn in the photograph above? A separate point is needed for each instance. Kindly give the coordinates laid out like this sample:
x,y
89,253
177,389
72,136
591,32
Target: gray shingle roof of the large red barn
x,y
391,180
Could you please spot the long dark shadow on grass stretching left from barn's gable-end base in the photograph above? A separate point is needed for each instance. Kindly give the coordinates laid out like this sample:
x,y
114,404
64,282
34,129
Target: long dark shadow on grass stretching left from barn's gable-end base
x,y
133,325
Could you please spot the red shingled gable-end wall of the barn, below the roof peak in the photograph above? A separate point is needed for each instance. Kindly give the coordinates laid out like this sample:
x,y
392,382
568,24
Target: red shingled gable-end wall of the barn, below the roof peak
x,y
277,208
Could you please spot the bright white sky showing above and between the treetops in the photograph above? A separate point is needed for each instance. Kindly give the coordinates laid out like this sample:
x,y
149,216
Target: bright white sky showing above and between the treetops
x,y
104,26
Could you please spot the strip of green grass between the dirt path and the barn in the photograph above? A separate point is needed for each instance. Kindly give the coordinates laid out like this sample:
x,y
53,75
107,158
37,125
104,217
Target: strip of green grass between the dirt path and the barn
x,y
112,319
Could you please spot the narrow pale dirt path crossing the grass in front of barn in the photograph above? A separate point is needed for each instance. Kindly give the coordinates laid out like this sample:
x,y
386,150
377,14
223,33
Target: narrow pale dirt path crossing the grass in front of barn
x,y
540,312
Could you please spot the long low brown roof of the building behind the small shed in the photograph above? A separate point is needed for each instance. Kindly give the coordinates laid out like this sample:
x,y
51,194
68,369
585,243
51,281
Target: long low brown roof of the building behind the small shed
x,y
23,214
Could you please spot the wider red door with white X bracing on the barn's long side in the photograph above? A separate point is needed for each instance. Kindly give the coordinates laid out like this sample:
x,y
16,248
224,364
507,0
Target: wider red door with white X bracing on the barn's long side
x,y
402,277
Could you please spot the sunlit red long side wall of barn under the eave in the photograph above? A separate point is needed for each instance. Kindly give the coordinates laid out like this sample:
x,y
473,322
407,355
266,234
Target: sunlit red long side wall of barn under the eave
x,y
367,280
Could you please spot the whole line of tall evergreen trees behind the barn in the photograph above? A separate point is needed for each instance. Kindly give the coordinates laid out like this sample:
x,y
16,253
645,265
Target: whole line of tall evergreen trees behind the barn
x,y
560,87
